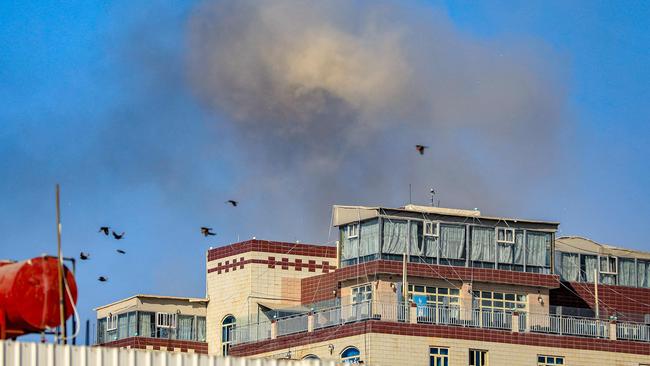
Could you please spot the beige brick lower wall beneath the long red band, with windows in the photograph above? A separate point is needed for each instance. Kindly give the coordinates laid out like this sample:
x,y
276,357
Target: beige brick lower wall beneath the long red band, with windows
x,y
390,350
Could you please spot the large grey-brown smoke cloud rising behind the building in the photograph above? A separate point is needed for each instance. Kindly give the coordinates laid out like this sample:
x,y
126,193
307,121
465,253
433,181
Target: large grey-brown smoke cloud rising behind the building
x,y
330,97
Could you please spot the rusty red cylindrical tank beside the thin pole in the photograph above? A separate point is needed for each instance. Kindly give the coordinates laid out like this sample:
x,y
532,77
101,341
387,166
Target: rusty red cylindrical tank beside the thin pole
x,y
29,295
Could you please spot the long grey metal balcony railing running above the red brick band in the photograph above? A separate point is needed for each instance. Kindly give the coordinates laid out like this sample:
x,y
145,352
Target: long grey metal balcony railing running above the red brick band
x,y
453,316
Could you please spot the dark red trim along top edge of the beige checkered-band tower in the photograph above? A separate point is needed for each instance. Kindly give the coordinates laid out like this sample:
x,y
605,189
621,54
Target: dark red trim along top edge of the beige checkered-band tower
x,y
265,246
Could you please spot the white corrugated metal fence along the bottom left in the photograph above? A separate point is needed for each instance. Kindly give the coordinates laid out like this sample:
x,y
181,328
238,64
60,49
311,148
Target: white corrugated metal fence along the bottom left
x,y
44,354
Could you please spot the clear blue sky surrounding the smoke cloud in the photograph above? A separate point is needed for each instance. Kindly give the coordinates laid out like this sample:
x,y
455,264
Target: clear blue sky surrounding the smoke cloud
x,y
131,146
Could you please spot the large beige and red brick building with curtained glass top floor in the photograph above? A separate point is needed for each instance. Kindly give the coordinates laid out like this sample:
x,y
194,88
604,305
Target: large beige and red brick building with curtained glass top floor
x,y
426,285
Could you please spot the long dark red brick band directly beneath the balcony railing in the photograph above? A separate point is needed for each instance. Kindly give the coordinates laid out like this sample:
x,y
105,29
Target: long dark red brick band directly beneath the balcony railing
x,y
440,331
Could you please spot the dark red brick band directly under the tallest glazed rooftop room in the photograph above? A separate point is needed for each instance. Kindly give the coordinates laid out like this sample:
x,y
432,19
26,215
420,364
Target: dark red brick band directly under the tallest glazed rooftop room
x,y
320,288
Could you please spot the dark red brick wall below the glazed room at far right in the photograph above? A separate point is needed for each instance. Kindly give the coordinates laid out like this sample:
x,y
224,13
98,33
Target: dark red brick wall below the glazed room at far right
x,y
613,299
